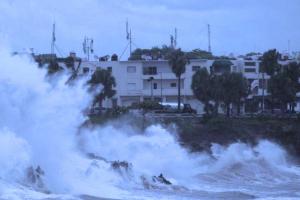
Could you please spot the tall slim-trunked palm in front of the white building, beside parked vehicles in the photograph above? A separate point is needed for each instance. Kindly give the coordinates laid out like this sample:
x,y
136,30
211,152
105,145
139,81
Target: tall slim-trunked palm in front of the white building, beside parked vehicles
x,y
177,60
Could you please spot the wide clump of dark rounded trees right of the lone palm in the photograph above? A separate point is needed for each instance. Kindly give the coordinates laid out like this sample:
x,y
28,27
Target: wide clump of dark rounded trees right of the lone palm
x,y
228,88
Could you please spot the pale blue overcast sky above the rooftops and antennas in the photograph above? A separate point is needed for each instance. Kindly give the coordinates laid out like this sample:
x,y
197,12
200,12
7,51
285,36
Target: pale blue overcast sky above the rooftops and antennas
x,y
237,26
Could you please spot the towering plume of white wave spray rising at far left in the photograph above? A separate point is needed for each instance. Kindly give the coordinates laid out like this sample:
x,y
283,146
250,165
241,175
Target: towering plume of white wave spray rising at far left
x,y
46,118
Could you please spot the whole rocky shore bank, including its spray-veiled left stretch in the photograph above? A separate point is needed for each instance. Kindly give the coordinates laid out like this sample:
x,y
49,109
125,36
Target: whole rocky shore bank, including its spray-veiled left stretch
x,y
197,134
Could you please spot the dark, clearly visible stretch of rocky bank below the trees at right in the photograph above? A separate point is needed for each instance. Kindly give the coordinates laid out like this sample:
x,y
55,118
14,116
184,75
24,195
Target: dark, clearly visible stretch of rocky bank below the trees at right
x,y
198,136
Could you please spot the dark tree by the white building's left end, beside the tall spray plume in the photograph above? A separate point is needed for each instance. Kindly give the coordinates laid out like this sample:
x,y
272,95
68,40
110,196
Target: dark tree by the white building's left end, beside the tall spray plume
x,y
104,78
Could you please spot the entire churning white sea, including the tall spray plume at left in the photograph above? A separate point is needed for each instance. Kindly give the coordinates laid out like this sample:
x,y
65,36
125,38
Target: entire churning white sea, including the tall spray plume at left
x,y
39,127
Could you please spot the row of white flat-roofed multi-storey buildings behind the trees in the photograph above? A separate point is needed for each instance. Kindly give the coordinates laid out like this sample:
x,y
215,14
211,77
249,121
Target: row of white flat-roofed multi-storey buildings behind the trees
x,y
142,80
